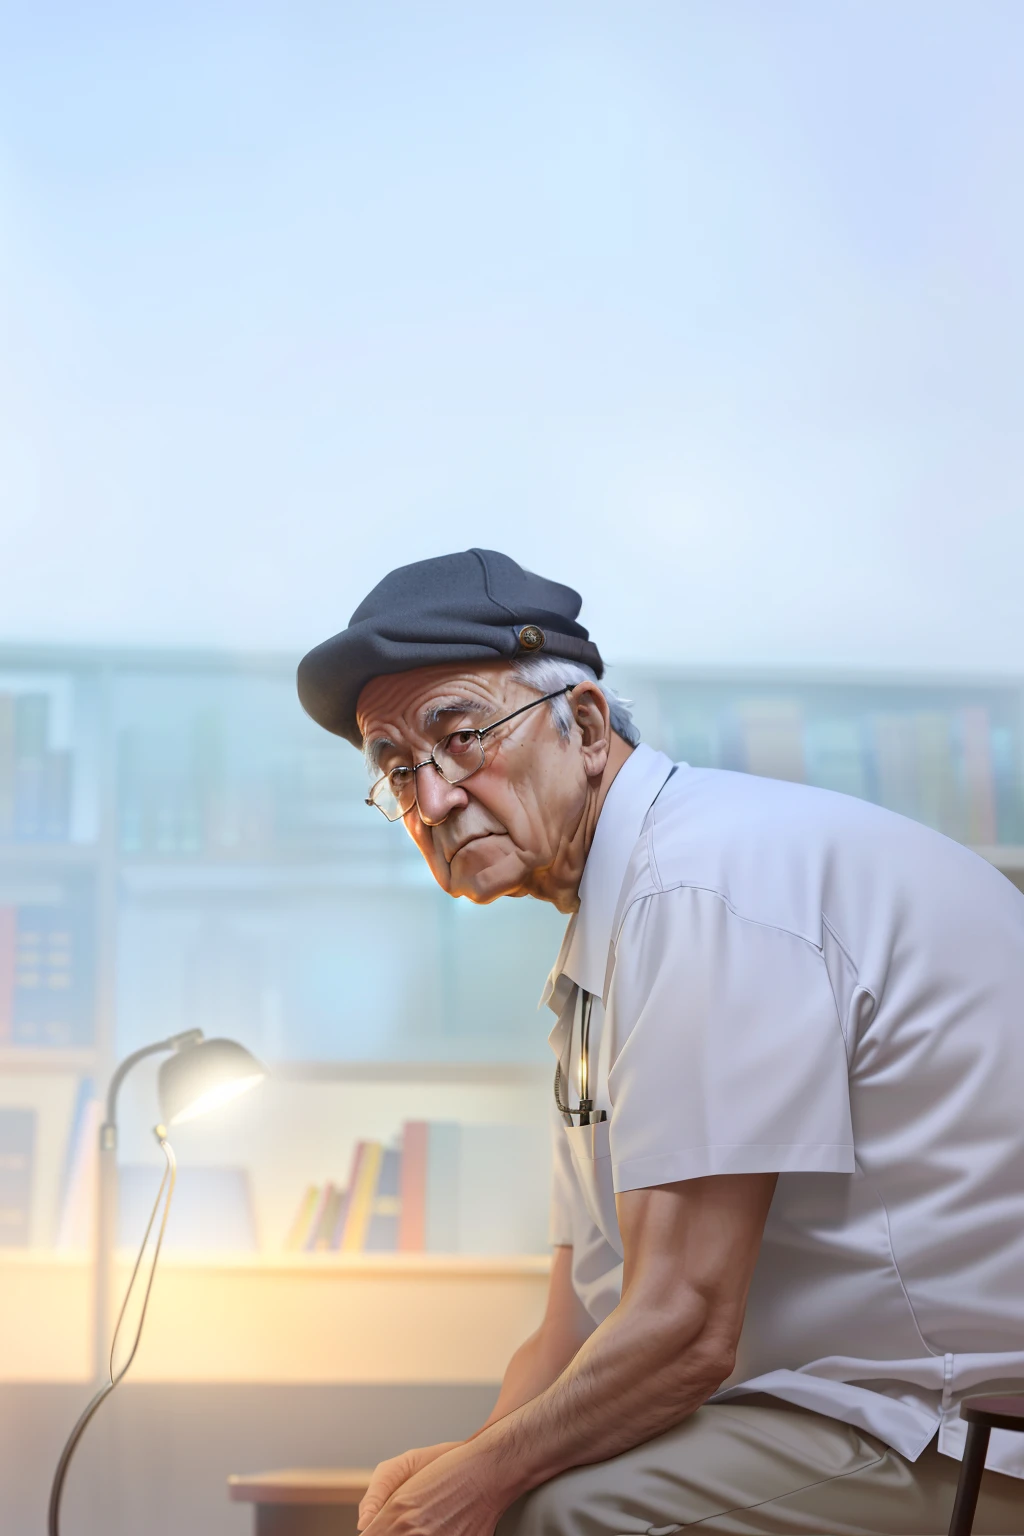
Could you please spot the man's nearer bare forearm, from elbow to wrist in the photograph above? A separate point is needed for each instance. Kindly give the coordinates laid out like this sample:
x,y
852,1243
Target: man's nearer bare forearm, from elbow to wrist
x,y
638,1375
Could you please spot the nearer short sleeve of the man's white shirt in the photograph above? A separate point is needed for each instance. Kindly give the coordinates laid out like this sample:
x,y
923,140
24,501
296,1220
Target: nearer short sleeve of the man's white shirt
x,y
727,1051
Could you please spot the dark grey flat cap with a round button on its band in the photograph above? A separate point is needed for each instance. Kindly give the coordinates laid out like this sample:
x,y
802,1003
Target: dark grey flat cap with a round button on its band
x,y
471,607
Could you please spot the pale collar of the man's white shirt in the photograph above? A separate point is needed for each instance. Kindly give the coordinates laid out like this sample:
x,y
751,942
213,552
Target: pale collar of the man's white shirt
x,y
584,955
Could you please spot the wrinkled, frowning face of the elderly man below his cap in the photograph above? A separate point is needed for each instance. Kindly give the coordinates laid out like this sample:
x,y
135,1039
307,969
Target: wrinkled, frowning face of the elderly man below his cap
x,y
501,830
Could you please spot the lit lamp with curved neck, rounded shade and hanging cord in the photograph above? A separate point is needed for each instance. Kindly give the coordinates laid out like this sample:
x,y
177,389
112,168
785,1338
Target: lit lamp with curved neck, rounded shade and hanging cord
x,y
197,1078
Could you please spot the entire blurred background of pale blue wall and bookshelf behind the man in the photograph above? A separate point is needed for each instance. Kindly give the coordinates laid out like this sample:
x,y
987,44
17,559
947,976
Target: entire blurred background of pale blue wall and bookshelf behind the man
x,y
712,313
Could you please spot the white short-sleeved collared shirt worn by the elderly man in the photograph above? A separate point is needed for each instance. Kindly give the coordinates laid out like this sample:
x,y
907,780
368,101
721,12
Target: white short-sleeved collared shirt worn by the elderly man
x,y
793,981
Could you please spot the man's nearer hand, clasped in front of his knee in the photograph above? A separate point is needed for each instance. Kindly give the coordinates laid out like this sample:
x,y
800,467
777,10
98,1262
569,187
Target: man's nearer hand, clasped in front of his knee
x,y
451,1497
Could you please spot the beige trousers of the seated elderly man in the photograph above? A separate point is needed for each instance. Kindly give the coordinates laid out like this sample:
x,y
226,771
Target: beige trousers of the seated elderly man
x,y
765,1468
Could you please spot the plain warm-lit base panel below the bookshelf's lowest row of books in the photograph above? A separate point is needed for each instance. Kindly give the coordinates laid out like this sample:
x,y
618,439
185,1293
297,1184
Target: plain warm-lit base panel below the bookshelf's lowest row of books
x,y
328,1319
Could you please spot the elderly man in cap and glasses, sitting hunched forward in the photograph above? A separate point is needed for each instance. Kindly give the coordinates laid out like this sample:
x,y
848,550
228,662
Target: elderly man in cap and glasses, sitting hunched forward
x,y
788,1211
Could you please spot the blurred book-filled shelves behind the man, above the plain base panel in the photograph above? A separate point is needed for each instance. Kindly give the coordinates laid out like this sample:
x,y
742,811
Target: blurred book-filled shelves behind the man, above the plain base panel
x,y
180,847
